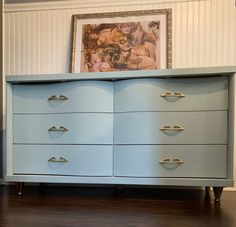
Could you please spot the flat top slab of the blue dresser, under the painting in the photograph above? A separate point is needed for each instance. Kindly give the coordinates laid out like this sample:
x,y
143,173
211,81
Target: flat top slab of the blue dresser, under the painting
x,y
164,73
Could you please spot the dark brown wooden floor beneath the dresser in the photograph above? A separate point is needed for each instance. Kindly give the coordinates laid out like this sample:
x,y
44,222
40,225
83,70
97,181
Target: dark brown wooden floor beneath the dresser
x,y
101,207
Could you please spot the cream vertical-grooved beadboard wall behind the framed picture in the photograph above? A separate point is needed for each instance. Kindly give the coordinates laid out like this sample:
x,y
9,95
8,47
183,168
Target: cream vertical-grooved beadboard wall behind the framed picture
x,y
37,36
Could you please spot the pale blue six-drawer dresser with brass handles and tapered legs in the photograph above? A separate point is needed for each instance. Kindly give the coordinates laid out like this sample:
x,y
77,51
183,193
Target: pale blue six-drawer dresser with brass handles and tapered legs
x,y
166,127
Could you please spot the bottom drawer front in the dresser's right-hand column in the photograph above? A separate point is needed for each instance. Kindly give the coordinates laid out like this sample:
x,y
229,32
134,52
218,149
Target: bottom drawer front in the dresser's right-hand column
x,y
185,161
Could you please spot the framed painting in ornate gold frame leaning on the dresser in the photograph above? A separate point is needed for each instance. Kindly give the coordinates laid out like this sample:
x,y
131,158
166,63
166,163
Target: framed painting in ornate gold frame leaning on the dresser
x,y
133,40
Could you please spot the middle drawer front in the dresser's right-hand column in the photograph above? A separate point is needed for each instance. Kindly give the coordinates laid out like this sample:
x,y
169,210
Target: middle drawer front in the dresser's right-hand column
x,y
149,128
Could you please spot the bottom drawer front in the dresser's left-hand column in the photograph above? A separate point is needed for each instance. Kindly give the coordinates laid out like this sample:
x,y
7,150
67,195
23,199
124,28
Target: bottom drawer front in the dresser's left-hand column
x,y
78,160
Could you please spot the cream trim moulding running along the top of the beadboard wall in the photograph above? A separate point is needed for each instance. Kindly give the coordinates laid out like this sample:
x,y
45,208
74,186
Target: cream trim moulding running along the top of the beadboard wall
x,y
70,4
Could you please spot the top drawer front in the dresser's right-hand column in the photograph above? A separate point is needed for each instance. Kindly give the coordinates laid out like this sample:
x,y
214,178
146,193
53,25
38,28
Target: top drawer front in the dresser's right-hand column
x,y
146,94
